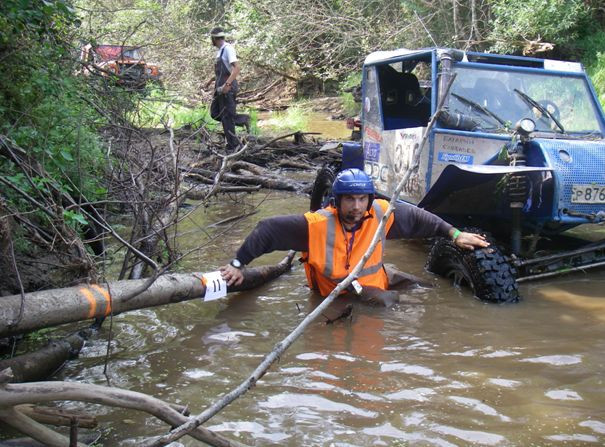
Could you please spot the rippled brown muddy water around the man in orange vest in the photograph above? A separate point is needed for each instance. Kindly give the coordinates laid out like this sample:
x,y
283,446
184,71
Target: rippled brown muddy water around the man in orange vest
x,y
438,369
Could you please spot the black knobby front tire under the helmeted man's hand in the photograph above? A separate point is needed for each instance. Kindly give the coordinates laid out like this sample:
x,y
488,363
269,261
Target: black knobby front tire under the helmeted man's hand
x,y
485,271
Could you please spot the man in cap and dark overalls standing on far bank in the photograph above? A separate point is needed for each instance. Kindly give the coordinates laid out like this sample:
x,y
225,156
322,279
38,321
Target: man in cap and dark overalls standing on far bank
x,y
226,69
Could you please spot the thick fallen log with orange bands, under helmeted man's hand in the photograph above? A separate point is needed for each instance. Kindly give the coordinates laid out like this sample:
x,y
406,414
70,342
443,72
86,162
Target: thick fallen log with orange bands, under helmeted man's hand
x,y
58,306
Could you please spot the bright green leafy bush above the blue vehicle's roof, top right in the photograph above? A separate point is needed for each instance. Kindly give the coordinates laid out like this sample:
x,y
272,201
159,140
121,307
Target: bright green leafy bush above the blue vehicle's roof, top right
x,y
519,21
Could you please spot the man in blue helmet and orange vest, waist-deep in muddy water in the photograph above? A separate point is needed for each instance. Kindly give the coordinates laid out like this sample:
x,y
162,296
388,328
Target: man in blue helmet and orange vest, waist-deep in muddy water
x,y
335,238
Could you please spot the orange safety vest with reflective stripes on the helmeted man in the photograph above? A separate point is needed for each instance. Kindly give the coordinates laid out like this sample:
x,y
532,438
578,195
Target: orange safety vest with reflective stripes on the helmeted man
x,y
326,260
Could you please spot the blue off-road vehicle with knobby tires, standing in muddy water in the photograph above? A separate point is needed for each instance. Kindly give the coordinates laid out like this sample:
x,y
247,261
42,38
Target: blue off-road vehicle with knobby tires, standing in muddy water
x,y
517,150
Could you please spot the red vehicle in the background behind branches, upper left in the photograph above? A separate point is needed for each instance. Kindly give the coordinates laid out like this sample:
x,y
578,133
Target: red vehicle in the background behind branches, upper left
x,y
124,62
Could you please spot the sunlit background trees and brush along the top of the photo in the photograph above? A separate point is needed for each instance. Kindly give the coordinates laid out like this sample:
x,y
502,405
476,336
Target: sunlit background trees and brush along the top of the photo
x,y
323,41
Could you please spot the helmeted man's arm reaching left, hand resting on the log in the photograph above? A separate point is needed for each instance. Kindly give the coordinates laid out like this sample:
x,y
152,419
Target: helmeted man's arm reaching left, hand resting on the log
x,y
275,233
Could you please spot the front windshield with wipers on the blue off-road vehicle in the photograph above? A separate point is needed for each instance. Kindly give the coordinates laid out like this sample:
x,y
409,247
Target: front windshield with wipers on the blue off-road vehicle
x,y
564,104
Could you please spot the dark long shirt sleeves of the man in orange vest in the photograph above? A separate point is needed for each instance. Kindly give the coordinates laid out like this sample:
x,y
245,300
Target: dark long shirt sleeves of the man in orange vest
x,y
291,232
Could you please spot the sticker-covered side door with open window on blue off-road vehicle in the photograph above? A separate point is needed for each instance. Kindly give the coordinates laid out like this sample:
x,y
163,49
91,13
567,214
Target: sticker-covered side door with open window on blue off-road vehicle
x,y
397,104
